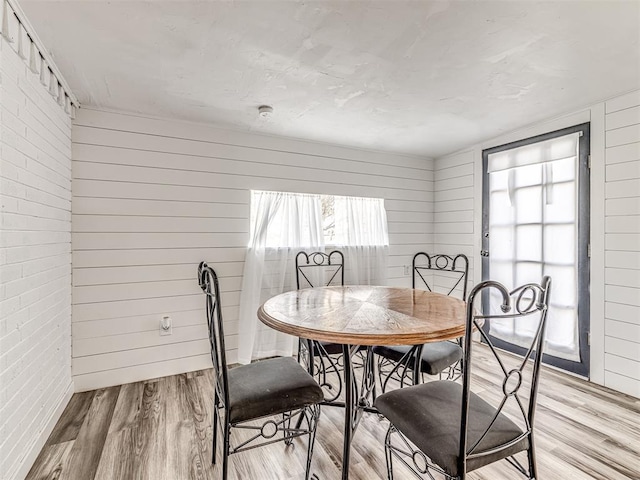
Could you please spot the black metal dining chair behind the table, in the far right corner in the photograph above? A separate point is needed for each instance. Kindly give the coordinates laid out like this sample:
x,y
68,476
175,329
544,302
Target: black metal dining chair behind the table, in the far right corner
x,y
439,358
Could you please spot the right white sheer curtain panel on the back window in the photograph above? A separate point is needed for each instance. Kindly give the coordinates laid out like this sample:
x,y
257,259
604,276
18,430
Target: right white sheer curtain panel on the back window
x,y
361,234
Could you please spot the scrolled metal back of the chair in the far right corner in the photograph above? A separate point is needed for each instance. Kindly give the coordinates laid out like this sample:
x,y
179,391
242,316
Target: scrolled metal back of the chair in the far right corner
x,y
455,267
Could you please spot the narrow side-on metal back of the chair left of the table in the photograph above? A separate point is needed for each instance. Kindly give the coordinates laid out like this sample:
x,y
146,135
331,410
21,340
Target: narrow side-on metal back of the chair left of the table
x,y
208,281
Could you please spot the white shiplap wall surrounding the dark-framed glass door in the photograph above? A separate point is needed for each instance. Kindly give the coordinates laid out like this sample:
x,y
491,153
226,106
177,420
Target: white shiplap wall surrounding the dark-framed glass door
x,y
615,227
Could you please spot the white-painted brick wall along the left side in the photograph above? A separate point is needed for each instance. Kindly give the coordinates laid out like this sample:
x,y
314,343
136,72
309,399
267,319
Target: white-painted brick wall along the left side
x,y
35,263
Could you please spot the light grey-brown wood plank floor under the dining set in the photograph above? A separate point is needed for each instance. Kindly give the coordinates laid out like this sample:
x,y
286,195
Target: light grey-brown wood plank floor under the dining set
x,y
161,430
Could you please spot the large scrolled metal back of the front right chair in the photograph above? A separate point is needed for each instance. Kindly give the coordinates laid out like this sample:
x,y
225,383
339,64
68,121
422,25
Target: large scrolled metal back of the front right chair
x,y
527,301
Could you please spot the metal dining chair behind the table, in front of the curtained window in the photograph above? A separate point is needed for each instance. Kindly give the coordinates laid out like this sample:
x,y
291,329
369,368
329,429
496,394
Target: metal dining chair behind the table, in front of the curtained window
x,y
322,359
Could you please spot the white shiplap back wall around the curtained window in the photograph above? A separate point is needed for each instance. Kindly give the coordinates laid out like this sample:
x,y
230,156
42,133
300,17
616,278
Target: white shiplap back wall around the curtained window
x,y
153,197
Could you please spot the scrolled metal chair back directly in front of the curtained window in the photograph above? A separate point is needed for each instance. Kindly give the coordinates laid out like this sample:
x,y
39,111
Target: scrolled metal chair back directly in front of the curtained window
x,y
332,263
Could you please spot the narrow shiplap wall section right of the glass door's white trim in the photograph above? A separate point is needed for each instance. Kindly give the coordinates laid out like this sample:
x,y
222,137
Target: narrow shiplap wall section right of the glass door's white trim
x,y
622,244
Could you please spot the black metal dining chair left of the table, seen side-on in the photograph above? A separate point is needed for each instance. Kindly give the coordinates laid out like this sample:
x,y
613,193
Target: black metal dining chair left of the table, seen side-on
x,y
262,398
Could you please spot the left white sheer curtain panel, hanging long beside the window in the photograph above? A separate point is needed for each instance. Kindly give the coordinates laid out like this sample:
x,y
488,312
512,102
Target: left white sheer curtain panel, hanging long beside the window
x,y
277,219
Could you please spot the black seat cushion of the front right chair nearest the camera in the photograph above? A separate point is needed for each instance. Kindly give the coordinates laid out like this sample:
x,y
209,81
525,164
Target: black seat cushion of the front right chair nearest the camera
x,y
430,415
